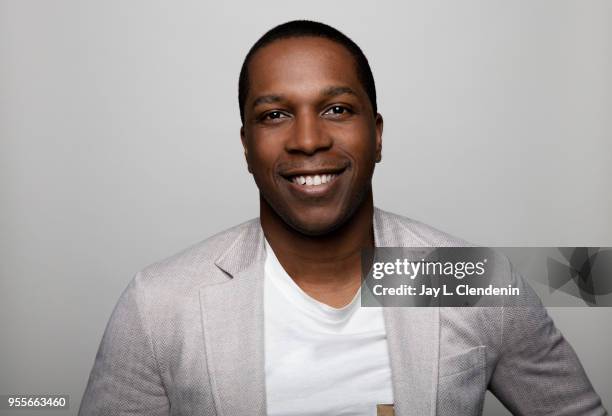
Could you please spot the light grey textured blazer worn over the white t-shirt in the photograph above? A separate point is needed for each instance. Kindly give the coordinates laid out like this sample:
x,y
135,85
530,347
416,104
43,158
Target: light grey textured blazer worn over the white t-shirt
x,y
186,338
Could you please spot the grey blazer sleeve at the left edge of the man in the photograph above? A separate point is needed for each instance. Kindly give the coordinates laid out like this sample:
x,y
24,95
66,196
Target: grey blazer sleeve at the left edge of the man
x,y
125,378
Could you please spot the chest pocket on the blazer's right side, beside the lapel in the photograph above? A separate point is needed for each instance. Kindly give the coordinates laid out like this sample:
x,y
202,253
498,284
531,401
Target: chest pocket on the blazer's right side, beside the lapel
x,y
462,383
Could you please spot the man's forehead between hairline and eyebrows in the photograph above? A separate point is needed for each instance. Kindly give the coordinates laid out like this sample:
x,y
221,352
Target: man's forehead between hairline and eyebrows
x,y
301,64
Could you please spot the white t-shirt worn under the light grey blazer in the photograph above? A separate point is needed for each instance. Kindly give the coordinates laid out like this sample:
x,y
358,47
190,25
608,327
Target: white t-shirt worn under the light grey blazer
x,y
321,360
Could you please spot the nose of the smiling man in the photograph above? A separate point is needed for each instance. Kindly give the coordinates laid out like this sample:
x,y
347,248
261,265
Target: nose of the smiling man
x,y
308,135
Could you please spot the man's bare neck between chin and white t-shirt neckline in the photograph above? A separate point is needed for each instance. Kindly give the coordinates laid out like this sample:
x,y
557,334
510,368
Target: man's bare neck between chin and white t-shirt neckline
x,y
327,267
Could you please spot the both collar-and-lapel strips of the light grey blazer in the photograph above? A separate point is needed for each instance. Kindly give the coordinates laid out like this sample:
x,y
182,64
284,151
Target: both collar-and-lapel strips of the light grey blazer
x,y
232,319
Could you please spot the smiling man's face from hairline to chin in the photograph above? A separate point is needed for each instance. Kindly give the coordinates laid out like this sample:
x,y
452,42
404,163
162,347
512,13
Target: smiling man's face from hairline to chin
x,y
310,136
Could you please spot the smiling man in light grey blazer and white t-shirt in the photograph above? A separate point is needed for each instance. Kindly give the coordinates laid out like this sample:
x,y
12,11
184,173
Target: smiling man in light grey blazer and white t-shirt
x,y
264,318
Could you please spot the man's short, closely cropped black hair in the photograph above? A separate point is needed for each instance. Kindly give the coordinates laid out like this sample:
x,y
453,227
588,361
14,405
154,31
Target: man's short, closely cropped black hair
x,y
308,28
